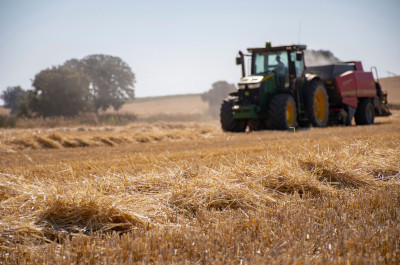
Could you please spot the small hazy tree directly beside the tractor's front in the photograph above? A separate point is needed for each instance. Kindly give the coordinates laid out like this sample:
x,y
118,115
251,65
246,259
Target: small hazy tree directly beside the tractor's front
x,y
216,94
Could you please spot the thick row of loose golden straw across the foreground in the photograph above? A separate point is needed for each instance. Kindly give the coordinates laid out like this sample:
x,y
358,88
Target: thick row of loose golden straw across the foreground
x,y
122,202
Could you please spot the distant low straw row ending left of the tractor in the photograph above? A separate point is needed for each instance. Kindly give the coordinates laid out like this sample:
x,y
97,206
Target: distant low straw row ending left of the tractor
x,y
73,137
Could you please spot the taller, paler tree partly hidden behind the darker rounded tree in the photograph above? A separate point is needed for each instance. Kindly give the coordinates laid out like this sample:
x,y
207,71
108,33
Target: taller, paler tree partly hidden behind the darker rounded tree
x,y
112,80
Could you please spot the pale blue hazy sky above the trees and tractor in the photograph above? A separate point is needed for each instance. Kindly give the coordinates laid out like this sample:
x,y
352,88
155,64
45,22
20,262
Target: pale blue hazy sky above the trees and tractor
x,y
179,47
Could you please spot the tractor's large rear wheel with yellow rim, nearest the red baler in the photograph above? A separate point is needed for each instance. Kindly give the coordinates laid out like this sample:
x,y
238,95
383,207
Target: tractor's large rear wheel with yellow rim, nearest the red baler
x,y
316,103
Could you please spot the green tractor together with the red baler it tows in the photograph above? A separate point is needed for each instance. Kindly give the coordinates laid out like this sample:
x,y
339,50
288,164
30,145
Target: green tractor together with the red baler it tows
x,y
281,93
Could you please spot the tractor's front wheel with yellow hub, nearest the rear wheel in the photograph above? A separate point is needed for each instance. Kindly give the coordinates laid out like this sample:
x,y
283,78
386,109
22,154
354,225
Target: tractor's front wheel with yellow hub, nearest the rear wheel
x,y
282,112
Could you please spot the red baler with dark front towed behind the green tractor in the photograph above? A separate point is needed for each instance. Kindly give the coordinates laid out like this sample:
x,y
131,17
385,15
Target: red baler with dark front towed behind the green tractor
x,y
352,92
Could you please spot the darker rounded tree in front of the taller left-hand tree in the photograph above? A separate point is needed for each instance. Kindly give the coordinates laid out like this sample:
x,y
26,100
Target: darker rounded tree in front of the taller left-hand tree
x,y
59,91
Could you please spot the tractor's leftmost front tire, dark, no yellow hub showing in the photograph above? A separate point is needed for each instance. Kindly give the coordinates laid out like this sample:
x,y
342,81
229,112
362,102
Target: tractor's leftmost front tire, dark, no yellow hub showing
x,y
228,123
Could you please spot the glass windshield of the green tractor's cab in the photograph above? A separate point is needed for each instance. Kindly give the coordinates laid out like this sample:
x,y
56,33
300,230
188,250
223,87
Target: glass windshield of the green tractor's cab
x,y
264,63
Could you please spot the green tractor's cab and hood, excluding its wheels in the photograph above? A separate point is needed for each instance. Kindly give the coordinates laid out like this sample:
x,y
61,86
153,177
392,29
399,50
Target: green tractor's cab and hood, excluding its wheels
x,y
274,70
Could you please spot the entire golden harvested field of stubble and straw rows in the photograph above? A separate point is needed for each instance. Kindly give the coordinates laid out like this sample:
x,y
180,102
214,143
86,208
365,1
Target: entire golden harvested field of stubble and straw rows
x,y
181,193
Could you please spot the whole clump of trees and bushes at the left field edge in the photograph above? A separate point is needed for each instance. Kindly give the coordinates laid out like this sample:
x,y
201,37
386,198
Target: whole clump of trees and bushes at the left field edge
x,y
96,82
